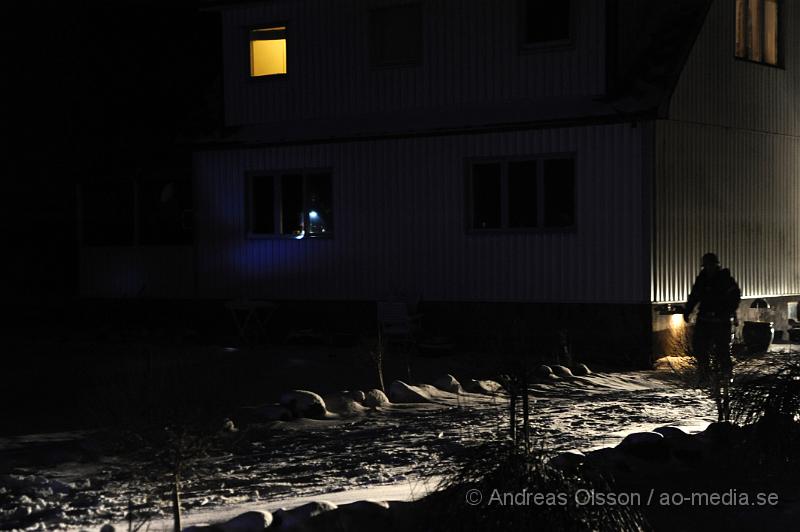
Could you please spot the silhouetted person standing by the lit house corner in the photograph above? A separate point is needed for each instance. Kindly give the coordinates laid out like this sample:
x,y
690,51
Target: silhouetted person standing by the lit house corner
x,y
718,296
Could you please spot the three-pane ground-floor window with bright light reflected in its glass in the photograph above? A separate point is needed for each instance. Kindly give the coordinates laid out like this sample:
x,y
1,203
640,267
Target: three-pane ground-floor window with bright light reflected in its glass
x,y
292,204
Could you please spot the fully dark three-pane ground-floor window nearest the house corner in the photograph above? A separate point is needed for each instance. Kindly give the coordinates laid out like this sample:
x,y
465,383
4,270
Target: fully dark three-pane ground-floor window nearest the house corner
x,y
522,193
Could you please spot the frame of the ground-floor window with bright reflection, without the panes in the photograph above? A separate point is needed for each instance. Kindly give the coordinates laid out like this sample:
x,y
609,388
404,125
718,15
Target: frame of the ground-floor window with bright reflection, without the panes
x,y
277,202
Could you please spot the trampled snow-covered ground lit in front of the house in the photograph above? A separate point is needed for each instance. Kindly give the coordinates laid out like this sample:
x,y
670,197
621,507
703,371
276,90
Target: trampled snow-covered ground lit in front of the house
x,y
384,454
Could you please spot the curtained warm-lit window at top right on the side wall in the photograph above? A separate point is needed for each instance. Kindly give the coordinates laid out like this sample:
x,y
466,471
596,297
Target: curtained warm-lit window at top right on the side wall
x,y
757,30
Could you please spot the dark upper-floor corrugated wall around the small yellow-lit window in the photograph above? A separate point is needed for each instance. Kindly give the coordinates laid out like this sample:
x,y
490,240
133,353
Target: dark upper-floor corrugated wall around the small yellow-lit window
x,y
471,54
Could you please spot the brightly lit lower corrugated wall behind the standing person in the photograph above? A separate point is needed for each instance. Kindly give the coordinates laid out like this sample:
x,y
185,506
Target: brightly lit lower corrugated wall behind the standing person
x,y
730,191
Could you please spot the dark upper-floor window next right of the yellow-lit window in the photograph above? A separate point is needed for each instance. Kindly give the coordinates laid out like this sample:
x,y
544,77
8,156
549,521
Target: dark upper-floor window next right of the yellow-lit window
x,y
396,35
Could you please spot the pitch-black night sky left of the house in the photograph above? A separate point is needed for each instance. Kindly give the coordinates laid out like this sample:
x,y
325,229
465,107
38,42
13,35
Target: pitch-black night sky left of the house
x,y
101,92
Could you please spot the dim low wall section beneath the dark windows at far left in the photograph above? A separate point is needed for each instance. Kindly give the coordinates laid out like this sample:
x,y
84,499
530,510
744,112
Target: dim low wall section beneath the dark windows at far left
x,y
148,271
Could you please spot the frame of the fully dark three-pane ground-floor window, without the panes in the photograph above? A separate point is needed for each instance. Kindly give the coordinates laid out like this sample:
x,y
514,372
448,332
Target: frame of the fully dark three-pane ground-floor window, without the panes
x,y
504,161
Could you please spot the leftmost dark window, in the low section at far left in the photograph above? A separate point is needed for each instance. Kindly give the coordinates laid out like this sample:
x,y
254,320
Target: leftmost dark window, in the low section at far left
x,y
108,213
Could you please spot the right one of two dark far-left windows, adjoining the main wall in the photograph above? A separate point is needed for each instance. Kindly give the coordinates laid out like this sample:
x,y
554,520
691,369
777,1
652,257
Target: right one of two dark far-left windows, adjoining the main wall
x,y
165,212
